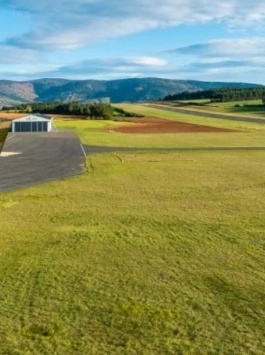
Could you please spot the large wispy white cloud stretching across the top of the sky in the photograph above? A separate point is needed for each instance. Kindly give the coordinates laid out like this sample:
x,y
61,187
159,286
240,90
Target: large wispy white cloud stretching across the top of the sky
x,y
67,24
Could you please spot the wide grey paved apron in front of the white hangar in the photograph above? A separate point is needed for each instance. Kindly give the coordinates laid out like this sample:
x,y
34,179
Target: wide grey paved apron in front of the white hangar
x,y
32,158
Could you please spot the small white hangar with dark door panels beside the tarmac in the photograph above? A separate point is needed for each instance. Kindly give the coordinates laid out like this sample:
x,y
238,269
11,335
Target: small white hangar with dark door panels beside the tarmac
x,y
33,123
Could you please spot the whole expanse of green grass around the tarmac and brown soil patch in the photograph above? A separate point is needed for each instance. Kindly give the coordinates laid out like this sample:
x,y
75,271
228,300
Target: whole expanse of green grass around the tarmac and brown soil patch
x,y
149,252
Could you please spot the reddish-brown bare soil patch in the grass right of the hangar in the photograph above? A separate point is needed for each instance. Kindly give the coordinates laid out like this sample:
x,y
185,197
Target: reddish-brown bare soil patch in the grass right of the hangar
x,y
160,125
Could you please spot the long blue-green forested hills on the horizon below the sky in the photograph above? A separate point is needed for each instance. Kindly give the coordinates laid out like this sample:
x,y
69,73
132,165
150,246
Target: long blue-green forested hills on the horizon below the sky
x,y
131,90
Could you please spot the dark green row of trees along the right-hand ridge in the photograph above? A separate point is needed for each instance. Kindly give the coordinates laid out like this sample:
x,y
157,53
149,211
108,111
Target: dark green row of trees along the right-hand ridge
x,y
221,95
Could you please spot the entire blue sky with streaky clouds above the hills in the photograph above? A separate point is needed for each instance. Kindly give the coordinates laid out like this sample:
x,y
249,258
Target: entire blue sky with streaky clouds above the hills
x,y
204,40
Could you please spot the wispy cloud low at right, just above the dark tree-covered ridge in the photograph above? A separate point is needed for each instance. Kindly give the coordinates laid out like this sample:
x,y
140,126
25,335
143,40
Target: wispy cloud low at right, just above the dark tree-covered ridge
x,y
224,58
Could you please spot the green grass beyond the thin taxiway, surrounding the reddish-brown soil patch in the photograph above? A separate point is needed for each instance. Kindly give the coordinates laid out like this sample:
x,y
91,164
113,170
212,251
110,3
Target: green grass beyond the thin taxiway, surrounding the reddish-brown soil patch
x,y
101,133
